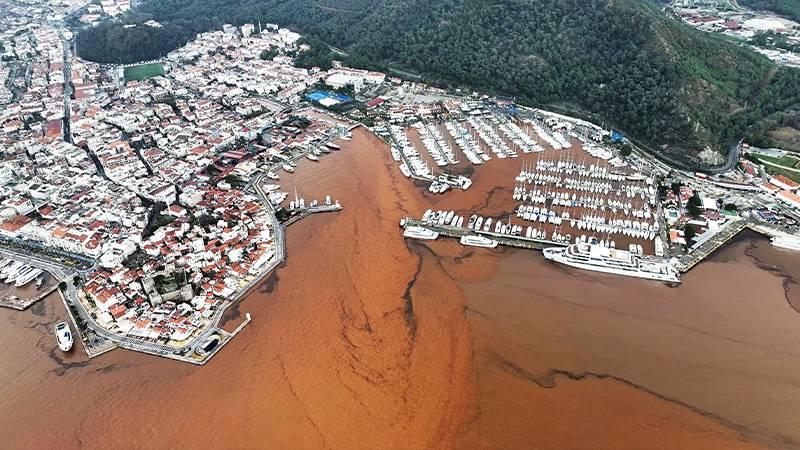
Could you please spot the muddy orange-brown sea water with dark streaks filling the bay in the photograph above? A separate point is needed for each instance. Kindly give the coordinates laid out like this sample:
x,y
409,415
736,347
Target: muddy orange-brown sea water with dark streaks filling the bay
x,y
363,340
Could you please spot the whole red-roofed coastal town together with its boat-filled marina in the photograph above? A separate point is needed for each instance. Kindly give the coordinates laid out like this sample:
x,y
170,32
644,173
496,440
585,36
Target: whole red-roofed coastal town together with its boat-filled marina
x,y
151,192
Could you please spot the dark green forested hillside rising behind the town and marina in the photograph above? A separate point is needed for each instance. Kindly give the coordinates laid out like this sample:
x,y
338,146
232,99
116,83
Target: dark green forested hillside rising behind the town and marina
x,y
619,61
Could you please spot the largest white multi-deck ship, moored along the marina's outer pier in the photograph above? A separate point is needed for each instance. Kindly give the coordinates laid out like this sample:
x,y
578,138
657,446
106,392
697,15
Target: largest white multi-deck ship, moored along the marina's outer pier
x,y
619,262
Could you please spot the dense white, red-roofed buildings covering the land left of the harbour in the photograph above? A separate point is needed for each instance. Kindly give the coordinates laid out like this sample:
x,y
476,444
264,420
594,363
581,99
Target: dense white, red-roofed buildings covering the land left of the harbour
x,y
135,181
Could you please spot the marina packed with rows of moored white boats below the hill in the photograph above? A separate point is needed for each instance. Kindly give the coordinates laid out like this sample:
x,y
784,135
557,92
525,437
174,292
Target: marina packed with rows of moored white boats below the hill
x,y
572,191
